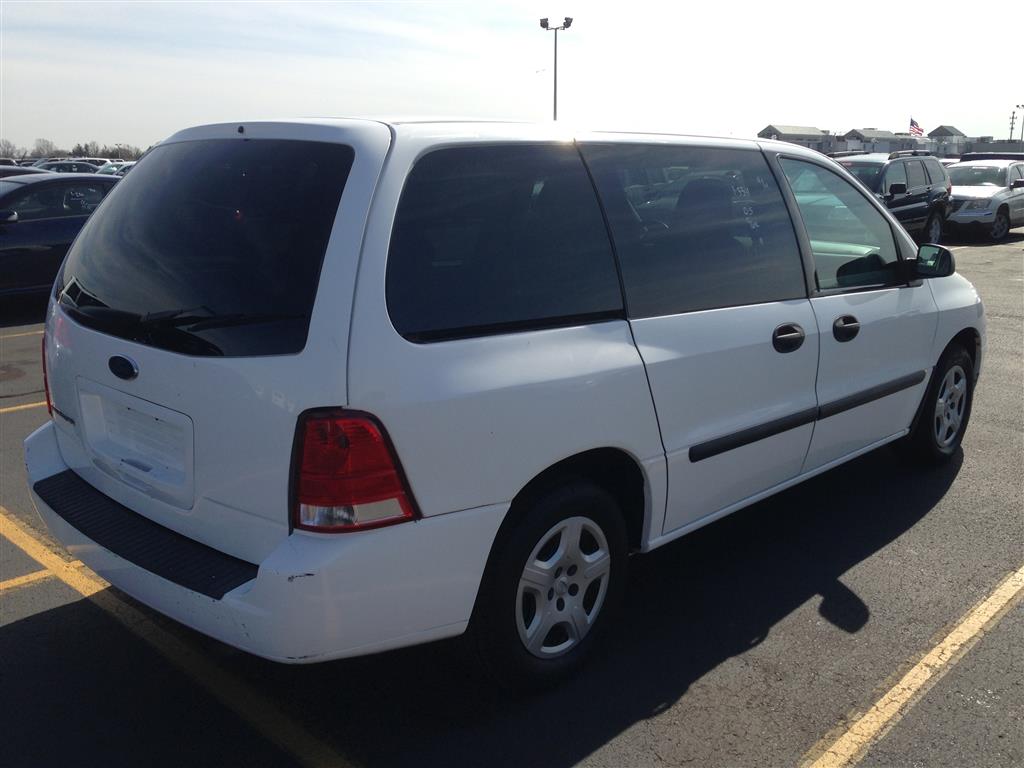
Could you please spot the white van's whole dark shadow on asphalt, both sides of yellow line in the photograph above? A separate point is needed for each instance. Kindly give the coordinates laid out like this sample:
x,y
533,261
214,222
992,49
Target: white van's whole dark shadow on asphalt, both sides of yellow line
x,y
691,607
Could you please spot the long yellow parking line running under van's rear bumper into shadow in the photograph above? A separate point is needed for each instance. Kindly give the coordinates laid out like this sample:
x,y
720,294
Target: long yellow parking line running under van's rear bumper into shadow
x,y
250,705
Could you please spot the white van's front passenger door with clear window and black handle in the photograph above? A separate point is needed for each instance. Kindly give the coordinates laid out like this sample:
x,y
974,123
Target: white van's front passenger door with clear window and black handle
x,y
876,329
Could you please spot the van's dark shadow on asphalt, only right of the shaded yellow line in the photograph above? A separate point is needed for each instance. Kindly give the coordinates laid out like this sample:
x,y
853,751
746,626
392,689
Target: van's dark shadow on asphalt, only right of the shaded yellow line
x,y
691,606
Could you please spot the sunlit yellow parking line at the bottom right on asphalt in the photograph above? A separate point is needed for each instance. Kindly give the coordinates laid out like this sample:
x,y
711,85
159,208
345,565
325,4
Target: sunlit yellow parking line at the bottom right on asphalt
x,y
854,744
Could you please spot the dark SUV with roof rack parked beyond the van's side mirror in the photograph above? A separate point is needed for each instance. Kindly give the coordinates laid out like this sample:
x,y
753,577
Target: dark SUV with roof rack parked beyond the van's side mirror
x,y
913,185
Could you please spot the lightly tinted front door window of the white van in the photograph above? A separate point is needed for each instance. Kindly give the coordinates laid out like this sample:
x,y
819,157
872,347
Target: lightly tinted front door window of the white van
x,y
852,243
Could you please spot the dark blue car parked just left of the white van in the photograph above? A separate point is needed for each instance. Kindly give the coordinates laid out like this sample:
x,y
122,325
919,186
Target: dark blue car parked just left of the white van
x,y
39,218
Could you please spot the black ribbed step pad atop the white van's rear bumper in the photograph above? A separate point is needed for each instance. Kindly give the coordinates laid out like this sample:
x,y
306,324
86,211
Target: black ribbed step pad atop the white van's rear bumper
x,y
139,540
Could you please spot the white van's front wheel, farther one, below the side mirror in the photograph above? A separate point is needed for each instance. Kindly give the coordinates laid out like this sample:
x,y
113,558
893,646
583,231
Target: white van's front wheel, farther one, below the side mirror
x,y
946,410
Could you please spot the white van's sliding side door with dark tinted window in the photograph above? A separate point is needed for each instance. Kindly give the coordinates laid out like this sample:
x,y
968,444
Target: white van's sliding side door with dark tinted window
x,y
718,306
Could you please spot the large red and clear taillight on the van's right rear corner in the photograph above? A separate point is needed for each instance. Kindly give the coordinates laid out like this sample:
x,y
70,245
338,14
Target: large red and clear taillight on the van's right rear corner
x,y
347,476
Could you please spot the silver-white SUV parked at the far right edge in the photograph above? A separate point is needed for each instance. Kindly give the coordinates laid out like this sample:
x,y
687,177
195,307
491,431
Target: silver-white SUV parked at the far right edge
x,y
989,194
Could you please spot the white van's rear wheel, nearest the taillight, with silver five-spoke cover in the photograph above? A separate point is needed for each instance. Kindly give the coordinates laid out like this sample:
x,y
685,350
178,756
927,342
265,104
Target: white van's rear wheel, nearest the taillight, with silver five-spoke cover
x,y
551,588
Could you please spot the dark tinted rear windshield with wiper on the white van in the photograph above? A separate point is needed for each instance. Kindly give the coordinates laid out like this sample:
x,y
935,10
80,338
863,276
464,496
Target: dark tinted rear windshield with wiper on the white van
x,y
210,248
